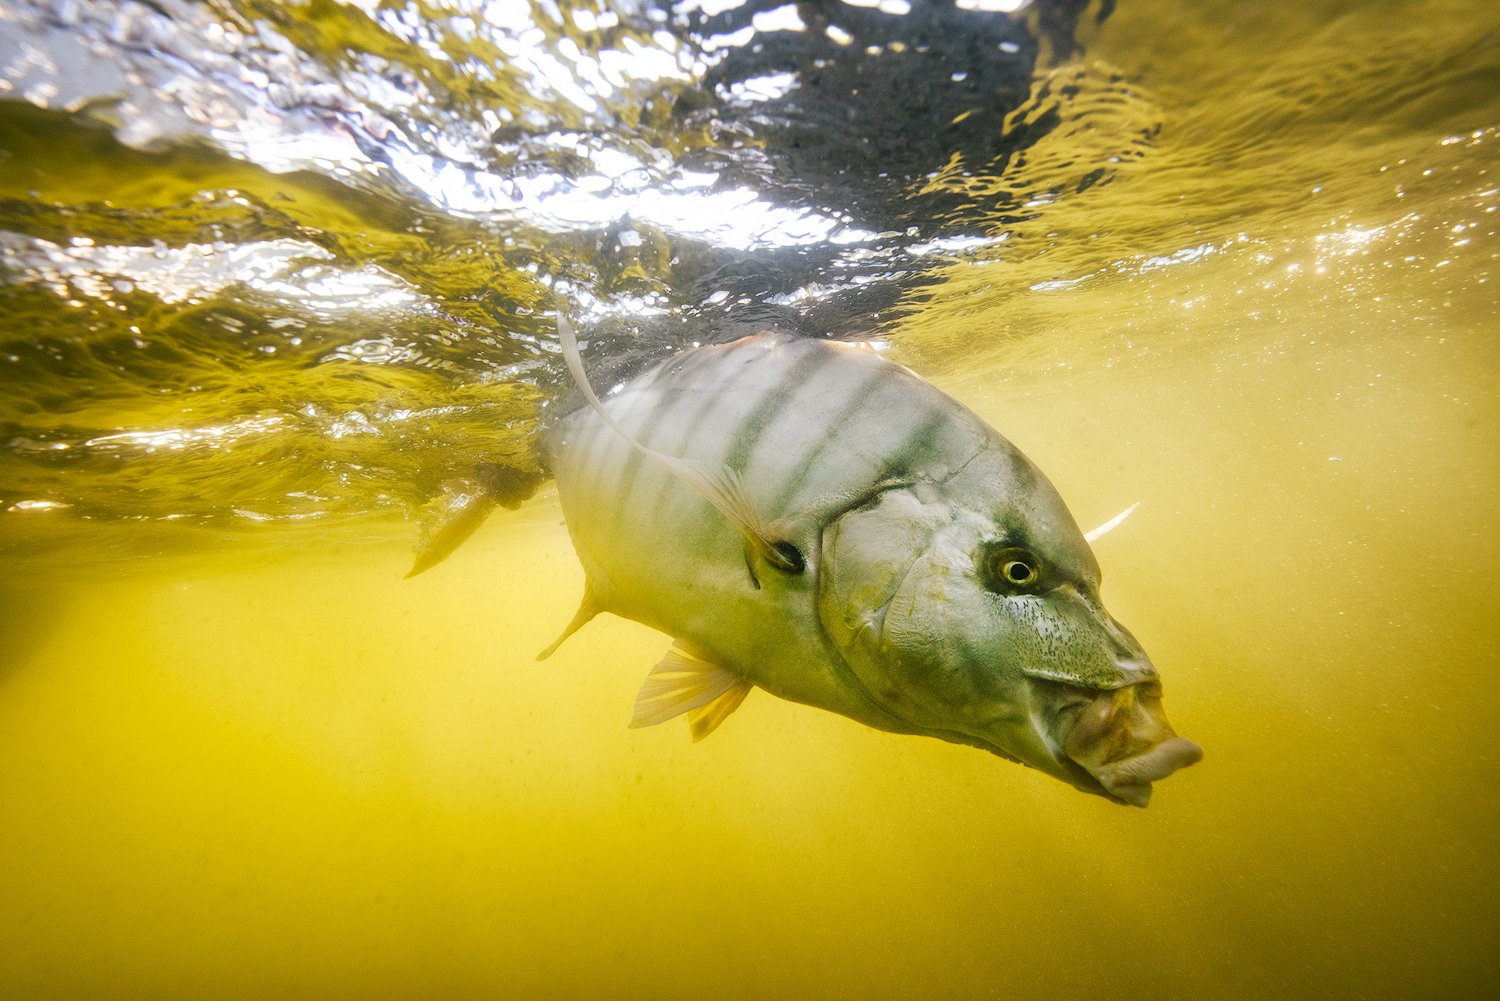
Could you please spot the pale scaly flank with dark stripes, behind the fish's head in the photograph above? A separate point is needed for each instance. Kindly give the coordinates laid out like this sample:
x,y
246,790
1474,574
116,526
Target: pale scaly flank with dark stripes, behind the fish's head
x,y
785,394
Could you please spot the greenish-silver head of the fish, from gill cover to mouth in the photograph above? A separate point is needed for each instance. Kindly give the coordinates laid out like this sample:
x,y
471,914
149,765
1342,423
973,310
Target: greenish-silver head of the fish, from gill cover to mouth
x,y
970,610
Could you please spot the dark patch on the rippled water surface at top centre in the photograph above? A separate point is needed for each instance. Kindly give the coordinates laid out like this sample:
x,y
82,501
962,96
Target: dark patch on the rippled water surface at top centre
x,y
872,101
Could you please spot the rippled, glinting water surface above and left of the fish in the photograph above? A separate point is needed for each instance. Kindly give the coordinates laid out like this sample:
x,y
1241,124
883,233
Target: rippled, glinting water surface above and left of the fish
x,y
214,320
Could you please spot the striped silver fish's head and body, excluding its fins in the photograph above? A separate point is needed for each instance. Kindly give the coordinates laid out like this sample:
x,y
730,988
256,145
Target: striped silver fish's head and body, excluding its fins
x,y
916,571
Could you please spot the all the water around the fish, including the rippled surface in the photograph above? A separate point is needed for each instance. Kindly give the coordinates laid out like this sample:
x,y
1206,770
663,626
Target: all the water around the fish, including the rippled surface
x,y
275,274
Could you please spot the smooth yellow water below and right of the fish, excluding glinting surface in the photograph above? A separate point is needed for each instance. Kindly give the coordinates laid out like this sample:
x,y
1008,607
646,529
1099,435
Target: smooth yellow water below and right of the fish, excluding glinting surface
x,y
265,766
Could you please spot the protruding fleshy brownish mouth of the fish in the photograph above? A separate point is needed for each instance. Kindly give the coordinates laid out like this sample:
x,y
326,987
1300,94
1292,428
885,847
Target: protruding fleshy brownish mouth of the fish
x,y
1124,741
